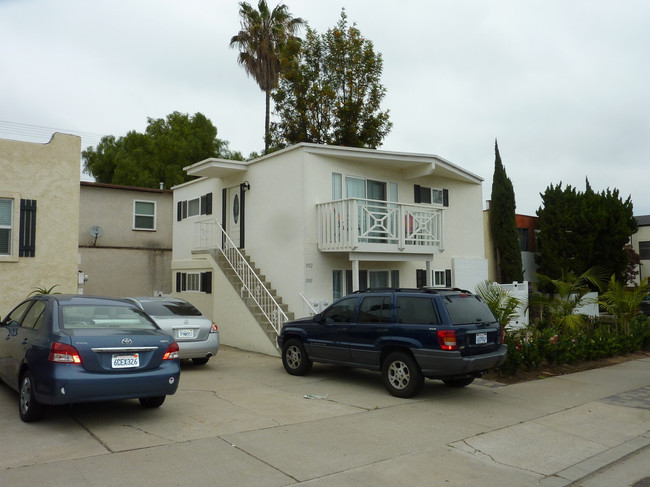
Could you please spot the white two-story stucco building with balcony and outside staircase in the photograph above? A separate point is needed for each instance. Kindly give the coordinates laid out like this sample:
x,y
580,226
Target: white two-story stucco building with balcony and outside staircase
x,y
315,223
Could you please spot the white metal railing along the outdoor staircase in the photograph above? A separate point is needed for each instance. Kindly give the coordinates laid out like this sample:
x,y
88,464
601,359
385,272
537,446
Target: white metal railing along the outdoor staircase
x,y
211,235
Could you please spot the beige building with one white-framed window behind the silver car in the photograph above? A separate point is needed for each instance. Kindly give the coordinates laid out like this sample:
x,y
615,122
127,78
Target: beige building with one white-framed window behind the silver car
x,y
125,239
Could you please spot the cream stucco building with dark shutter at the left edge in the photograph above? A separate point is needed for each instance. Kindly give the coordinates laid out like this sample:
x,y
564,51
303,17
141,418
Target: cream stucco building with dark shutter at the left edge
x,y
39,217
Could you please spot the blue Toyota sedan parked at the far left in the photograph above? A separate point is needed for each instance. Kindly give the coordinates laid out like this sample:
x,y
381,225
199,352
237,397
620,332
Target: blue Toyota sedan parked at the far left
x,y
64,349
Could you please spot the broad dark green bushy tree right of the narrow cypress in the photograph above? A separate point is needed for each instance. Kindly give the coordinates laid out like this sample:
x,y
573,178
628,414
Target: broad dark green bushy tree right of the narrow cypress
x,y
580,230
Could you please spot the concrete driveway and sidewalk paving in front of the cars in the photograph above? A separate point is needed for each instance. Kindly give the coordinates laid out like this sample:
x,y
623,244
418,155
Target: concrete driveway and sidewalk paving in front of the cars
x,y
242,421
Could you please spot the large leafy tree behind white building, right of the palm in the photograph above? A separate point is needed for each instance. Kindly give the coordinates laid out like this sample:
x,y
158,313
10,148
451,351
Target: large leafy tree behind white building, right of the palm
x,y
330,90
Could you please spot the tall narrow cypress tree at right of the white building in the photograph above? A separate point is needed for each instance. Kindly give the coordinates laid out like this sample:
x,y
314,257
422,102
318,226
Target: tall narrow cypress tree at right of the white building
x,y
503,227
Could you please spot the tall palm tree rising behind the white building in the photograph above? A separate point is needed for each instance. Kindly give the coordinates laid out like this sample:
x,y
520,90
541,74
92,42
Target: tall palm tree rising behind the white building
x,y
263,34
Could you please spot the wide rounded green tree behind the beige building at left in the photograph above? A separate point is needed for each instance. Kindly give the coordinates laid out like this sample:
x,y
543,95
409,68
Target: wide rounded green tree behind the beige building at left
x,y
159,154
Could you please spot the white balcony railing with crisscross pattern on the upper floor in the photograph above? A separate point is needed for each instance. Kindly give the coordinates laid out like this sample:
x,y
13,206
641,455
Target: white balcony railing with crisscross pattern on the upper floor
x,y
362,225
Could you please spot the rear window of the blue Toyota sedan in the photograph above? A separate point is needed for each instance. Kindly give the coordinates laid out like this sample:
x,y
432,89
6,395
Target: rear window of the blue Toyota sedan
x,y
103,316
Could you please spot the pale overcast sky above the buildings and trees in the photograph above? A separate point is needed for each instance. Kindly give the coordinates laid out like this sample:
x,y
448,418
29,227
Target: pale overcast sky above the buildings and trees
x,y
564,85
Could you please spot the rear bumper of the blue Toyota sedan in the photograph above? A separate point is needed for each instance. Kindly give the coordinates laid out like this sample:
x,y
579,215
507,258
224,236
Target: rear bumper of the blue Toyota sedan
x,y
68,384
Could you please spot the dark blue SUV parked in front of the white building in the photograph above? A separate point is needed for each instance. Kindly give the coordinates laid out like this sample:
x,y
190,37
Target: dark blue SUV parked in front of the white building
x,y
407,334
